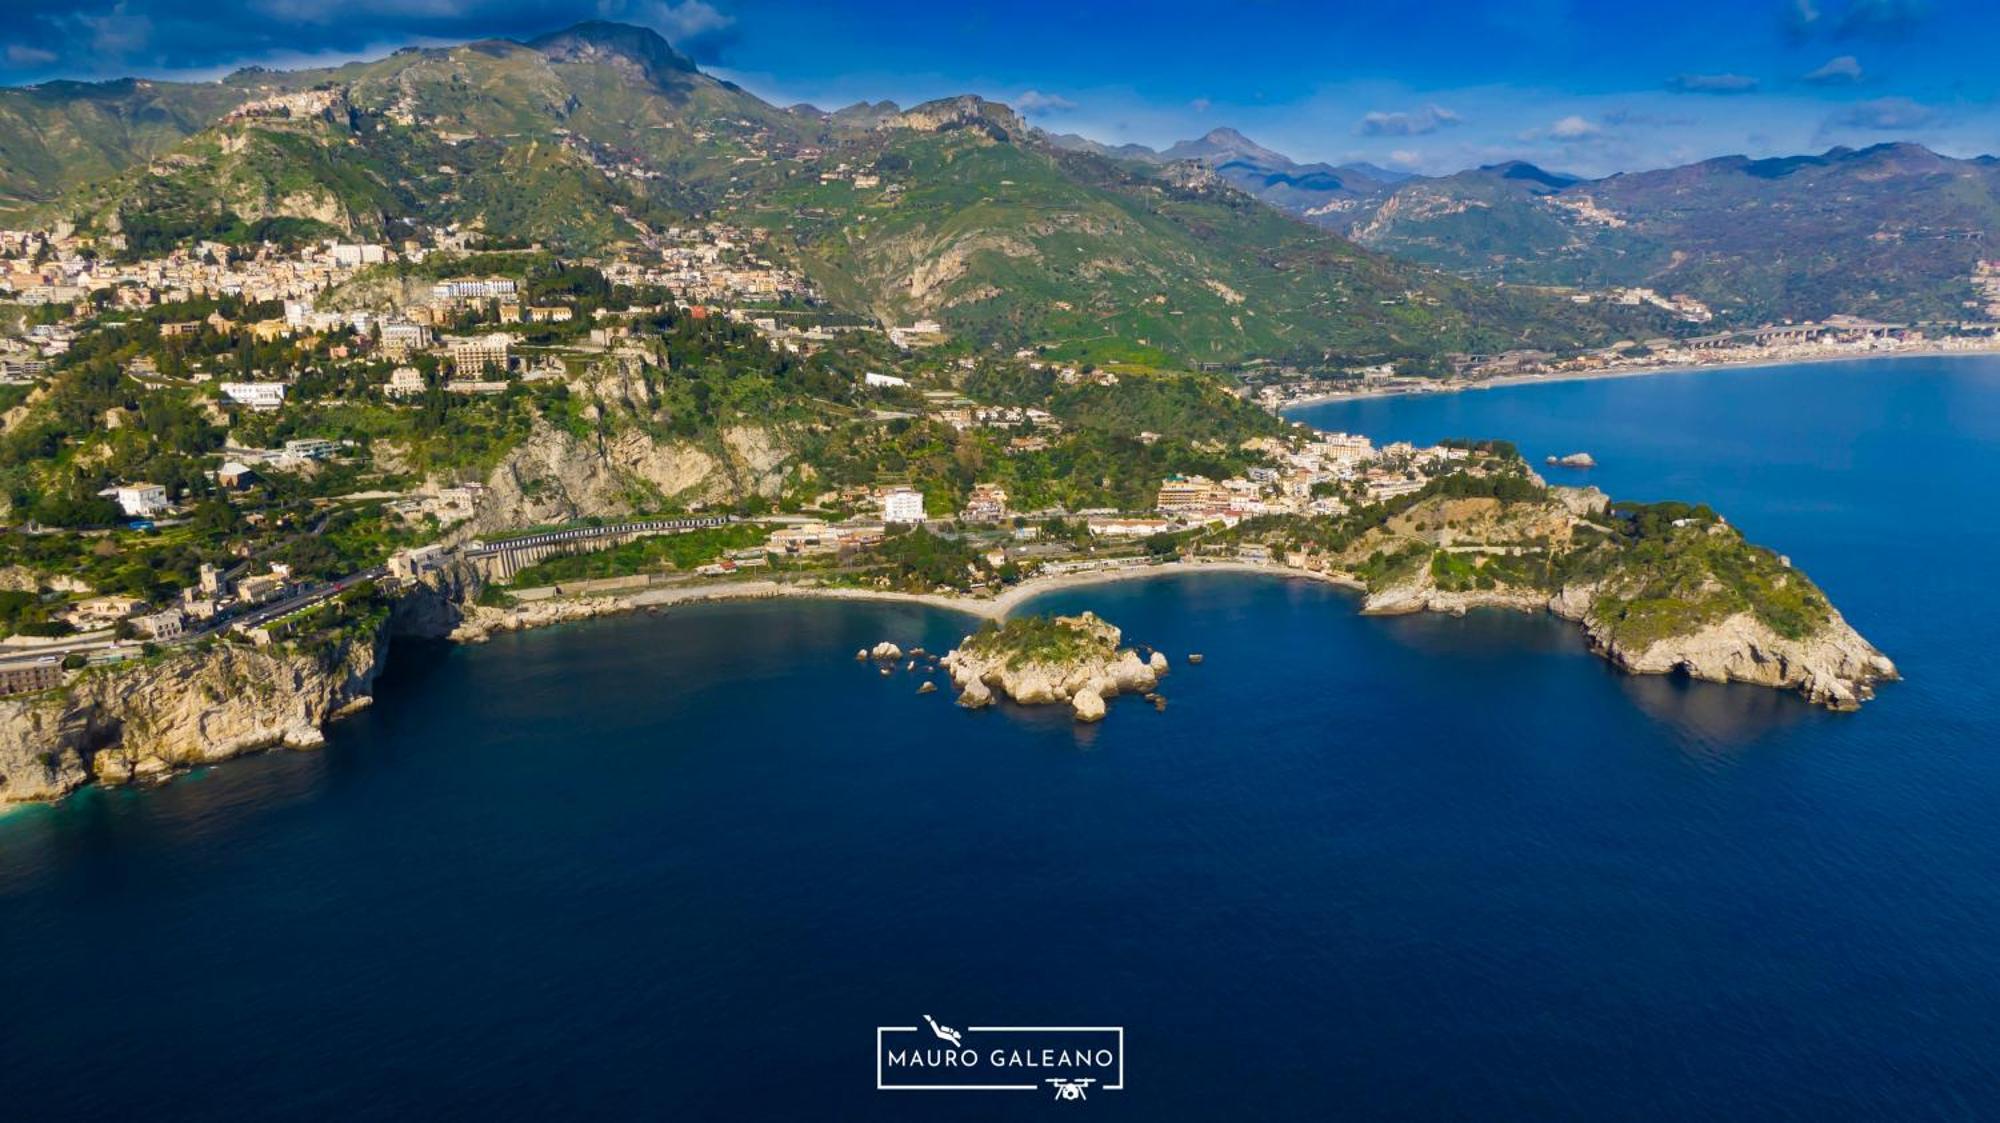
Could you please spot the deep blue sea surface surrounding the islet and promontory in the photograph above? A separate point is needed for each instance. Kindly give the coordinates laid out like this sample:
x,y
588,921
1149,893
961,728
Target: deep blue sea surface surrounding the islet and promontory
x,y
681,866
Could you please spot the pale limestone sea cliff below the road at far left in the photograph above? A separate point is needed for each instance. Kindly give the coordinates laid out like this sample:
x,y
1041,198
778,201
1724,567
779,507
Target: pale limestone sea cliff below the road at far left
x,y
195,708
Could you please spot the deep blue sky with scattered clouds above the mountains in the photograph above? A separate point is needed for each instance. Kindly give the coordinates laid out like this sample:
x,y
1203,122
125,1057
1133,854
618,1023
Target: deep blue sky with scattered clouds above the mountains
x,y
1433,87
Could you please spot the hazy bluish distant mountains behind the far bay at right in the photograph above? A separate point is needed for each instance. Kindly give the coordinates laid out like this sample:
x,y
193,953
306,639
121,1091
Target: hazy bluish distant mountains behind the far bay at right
x,y
1891,231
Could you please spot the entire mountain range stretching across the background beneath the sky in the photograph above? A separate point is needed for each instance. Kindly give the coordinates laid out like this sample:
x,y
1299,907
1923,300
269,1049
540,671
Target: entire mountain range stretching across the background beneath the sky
x,y
1211,251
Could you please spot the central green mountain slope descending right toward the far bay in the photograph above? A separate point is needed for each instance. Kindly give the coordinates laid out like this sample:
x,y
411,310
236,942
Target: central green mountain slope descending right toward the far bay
x,y
981,225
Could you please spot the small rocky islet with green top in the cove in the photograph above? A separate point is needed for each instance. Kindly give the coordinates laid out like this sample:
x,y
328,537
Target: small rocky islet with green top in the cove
x,y
1049,660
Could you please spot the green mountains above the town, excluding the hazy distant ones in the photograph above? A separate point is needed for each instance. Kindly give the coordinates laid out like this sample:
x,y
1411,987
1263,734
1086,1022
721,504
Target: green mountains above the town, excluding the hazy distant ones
x,y
955,211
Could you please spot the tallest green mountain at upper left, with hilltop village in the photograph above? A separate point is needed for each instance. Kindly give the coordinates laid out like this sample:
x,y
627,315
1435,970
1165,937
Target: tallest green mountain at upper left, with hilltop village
x,y
515,139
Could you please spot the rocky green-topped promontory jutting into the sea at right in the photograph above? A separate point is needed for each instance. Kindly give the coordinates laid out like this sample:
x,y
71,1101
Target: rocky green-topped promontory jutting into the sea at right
x,y
1659,588
